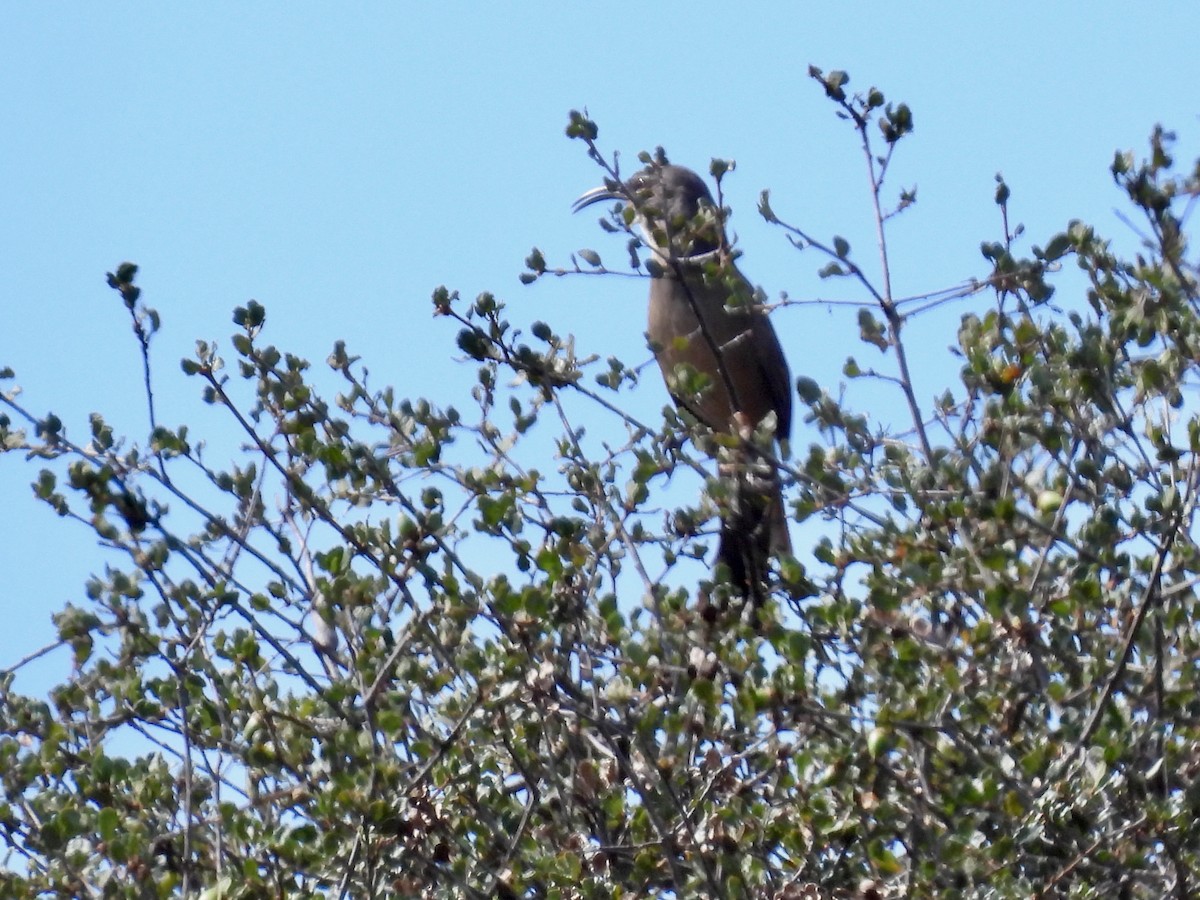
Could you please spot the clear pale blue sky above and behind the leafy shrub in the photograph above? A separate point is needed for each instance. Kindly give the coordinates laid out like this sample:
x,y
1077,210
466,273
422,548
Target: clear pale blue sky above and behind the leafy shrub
x,y
338,163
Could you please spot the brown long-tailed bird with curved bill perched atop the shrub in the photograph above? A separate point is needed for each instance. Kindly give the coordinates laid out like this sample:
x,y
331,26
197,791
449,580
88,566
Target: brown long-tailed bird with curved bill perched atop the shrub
x,y
705,319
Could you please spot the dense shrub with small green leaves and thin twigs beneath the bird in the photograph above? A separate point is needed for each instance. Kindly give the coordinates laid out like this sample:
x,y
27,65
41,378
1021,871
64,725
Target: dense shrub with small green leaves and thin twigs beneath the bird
x,y
392,652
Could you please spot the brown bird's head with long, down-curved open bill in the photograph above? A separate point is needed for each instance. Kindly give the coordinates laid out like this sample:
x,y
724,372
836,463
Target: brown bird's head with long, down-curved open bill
x,y
674,208
